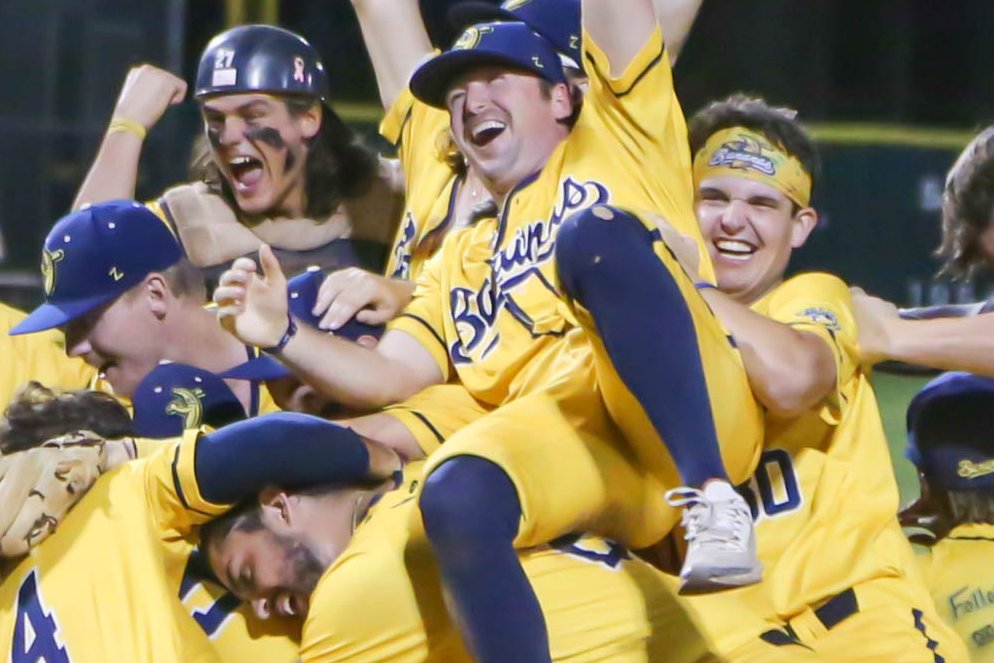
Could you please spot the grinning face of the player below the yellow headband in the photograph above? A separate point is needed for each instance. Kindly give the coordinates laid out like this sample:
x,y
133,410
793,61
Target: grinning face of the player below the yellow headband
x,y
751,230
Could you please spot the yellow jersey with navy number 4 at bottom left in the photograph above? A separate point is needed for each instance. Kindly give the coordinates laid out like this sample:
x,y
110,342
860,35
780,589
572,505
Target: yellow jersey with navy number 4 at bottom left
x,y
121,579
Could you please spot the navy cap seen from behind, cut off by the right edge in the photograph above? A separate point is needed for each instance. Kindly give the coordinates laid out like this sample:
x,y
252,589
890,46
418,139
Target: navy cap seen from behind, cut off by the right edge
x,y
951,432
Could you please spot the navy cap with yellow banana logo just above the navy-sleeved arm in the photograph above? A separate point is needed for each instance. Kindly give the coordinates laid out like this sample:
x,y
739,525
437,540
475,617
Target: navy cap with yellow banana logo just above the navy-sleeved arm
x,y
177,397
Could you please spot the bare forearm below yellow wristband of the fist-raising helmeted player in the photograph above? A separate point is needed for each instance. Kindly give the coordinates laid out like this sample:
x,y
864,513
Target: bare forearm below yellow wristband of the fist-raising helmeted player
x,y
114,171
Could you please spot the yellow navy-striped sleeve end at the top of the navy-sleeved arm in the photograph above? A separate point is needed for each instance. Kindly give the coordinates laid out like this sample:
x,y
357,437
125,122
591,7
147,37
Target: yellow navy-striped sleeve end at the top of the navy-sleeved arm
x,y
171,488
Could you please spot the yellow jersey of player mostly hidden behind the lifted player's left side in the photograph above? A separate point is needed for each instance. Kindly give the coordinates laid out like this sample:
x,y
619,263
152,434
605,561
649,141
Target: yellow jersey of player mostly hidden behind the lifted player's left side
x,y
418,131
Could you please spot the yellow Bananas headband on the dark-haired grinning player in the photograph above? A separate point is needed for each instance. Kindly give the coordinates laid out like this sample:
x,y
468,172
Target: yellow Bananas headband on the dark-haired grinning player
x,y
740,152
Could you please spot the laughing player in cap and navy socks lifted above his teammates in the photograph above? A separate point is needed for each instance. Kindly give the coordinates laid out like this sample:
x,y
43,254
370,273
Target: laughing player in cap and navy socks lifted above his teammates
x,y
487,309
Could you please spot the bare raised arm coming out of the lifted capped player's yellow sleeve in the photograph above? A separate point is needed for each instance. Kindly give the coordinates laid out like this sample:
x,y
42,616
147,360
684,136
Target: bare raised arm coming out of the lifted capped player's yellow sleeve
x,y
619,27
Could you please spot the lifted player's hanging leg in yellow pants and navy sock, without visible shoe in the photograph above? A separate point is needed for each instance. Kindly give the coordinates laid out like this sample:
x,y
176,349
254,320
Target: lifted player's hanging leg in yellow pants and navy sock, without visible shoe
x,y
519,477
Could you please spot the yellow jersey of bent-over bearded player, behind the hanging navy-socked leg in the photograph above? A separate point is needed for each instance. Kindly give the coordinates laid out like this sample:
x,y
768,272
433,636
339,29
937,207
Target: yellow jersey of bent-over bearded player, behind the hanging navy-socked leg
x,y
381,599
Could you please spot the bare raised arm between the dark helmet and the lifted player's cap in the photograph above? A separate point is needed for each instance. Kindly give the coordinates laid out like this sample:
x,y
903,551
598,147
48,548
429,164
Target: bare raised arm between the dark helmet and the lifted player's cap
x,y
396,41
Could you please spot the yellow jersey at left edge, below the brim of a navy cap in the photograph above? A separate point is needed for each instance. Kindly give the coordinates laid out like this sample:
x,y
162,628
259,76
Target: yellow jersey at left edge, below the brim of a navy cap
x,y
40,357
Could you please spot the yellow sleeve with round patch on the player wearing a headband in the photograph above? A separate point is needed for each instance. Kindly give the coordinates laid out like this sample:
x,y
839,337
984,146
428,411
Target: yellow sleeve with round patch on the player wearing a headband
x,y
821,304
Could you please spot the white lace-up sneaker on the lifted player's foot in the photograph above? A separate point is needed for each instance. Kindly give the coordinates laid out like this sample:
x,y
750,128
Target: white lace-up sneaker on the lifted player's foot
x,y
721,541
